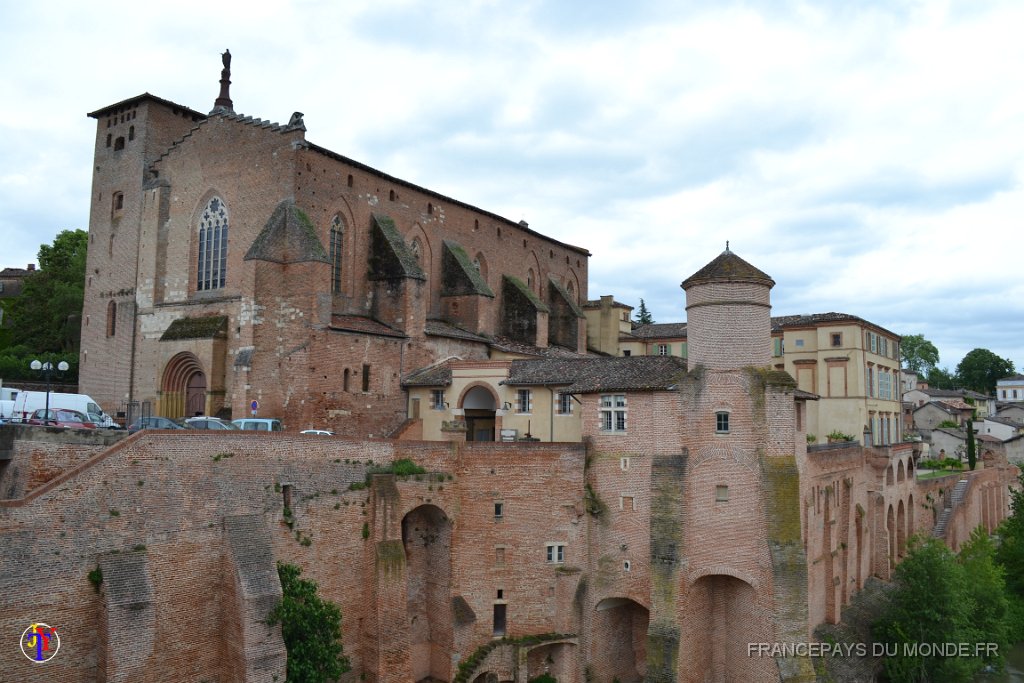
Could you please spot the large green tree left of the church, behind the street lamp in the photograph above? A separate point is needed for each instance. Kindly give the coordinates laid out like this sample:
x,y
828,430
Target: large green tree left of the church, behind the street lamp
x,y
47,318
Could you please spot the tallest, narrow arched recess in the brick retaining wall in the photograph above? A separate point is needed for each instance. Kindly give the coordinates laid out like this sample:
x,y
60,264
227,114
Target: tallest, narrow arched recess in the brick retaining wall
x,y
426,535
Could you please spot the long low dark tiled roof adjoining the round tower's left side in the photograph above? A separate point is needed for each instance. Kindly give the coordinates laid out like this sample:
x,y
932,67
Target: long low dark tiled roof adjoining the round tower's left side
x,y
637,373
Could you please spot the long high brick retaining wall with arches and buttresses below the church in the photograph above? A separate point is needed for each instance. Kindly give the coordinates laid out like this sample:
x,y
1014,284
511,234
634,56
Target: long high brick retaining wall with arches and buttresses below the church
x,y
155,558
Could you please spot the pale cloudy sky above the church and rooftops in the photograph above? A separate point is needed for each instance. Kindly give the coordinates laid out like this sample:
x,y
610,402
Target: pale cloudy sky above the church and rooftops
x,y
869,156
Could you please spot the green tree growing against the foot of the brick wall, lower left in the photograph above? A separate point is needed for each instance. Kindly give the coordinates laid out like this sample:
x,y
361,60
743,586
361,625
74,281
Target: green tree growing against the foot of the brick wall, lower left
x,y
312,629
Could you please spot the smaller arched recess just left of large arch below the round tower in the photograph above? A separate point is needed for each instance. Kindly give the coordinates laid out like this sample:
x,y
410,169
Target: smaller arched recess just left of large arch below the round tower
x,y
620,643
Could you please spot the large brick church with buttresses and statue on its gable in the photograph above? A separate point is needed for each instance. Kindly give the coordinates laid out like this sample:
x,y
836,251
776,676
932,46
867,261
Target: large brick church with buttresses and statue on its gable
x,y
232,262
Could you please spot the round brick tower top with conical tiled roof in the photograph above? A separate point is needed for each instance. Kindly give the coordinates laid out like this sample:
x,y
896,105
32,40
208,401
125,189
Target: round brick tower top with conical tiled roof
x,y
729,315
